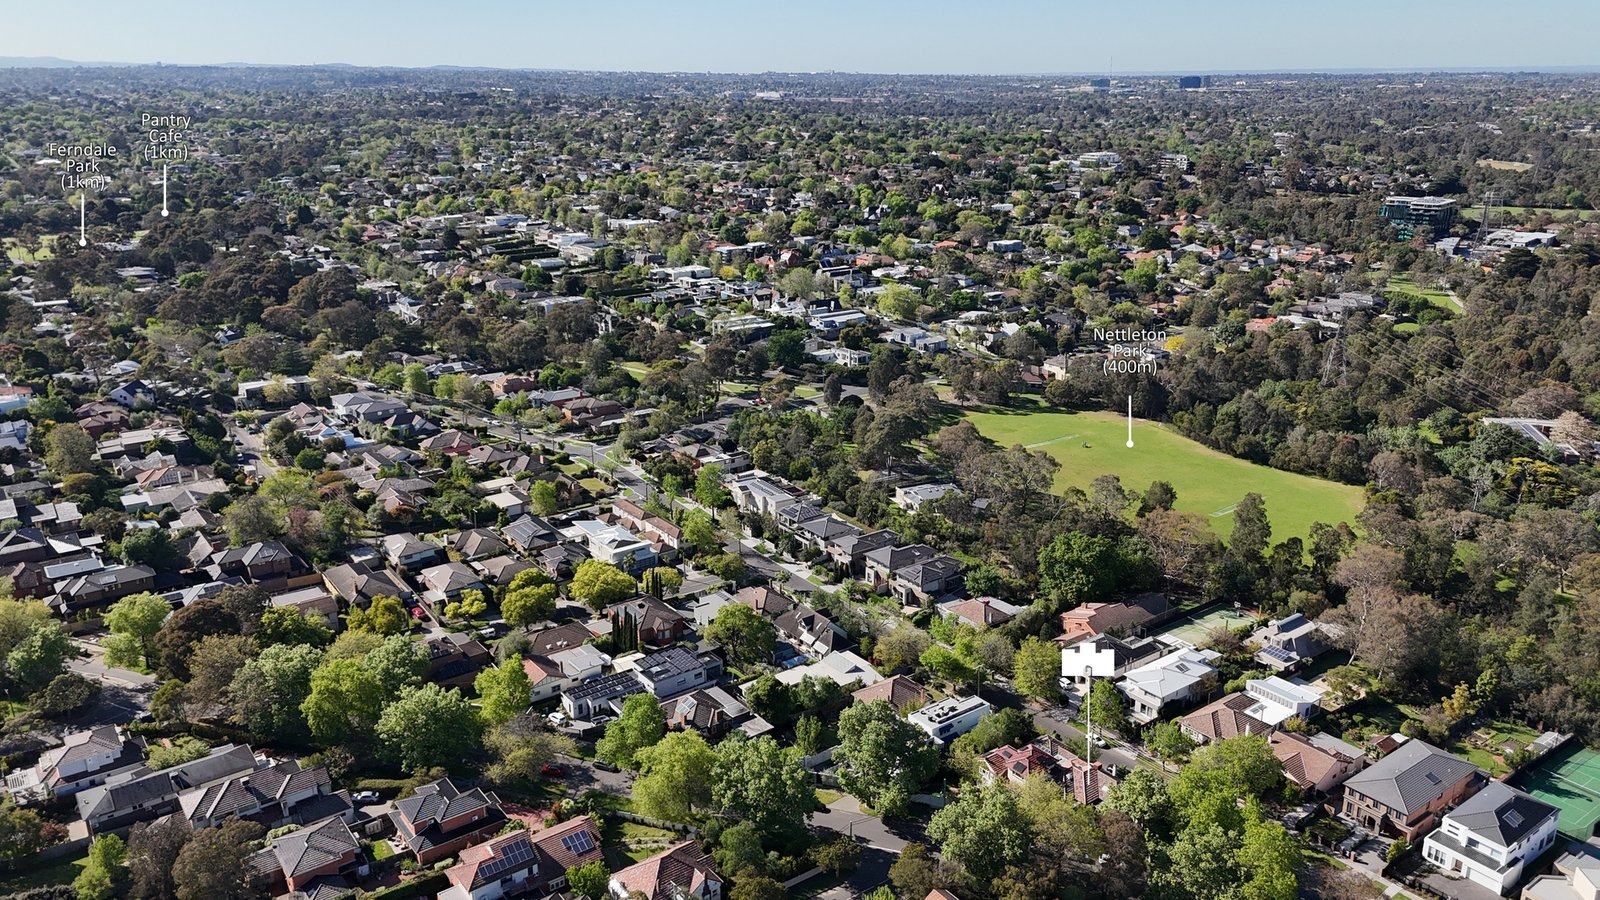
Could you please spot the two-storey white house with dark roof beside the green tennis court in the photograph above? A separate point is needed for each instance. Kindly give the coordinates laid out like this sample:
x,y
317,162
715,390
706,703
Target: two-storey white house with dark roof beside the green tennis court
x,y
1492,837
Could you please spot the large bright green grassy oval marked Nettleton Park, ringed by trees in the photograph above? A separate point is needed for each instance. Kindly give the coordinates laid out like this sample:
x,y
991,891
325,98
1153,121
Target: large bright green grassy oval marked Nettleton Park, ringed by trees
x,y
1209,483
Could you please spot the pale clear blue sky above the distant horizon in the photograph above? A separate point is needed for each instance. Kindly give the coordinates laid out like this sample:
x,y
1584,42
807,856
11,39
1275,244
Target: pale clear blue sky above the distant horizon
x,y
862,36
